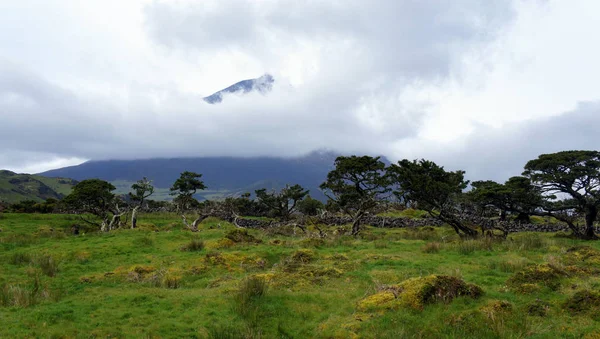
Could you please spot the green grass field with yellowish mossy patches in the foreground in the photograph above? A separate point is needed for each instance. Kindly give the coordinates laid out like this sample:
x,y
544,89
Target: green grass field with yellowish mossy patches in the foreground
x,y
159,281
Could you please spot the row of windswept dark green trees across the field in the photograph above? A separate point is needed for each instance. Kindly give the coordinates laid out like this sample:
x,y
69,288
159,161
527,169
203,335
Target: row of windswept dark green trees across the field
x,y
563,185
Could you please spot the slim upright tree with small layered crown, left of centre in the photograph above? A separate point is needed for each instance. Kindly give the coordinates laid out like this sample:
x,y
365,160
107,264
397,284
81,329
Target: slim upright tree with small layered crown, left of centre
x,y
184,189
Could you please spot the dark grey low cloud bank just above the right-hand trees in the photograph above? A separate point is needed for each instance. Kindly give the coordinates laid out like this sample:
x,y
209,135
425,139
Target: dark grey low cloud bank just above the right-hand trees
x,y
499,153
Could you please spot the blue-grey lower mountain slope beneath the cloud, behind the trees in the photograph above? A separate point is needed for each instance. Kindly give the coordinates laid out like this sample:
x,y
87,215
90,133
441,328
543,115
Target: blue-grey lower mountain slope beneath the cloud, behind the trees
x,y
223,175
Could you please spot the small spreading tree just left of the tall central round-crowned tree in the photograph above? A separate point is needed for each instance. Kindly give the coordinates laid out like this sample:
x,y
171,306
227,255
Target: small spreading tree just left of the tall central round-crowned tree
x,y
282,204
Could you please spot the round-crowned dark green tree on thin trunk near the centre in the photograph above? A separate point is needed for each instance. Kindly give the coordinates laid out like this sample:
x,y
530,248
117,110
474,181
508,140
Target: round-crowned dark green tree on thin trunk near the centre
x,y
356,184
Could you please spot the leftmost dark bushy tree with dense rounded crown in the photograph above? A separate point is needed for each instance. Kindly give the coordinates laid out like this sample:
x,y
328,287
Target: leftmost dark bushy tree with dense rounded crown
x,y
95,196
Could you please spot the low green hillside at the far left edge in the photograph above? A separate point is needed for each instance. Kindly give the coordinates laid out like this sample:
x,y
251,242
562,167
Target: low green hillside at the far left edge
x,y
18,187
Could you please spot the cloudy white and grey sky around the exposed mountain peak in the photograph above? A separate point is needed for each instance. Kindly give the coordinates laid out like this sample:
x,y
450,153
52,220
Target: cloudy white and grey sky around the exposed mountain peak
x,y
478,85
